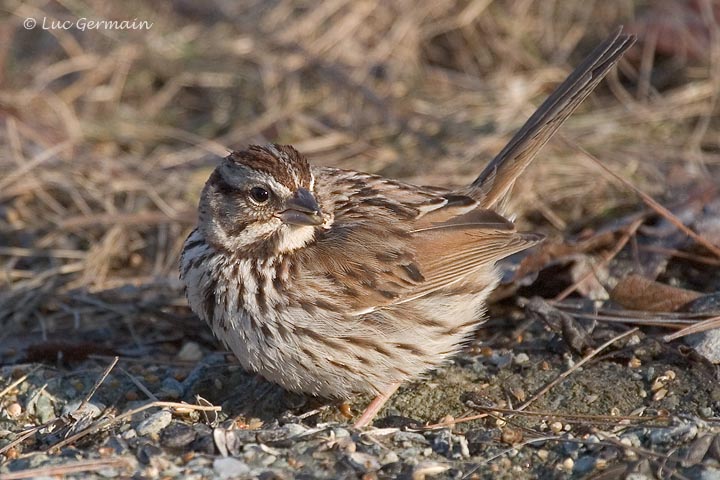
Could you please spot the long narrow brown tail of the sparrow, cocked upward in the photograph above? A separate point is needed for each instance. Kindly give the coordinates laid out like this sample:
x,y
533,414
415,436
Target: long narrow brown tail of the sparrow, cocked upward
x,y
492,186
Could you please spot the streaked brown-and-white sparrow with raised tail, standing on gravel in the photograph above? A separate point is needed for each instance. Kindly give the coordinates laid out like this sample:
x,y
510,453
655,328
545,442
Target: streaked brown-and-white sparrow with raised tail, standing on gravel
x,y
334,282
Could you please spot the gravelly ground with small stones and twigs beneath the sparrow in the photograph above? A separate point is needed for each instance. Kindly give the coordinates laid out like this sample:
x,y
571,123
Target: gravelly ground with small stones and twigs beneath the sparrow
x,y
638,407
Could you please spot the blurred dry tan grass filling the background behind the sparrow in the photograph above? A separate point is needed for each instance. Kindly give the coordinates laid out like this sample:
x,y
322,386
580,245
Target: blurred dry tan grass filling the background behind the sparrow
x,y
108,134
